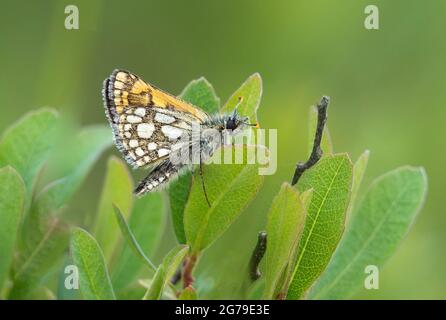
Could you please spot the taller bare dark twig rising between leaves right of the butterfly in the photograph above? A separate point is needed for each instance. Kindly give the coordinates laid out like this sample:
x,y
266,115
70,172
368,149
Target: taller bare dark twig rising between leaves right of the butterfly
x,y
316,153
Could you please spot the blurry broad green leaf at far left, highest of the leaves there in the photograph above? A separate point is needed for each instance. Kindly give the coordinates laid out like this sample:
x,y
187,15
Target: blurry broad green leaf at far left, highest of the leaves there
x,y
26,144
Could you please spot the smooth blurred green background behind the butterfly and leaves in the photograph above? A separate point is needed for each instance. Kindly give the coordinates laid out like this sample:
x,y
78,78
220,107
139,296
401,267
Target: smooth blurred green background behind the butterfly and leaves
x,y
386,89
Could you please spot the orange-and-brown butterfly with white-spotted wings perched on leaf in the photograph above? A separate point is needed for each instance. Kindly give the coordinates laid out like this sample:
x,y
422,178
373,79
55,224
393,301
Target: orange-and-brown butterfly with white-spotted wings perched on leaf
x,y
152,128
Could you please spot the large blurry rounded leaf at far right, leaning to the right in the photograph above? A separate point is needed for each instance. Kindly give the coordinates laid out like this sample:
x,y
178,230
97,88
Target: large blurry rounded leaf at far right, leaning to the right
x,y
377,227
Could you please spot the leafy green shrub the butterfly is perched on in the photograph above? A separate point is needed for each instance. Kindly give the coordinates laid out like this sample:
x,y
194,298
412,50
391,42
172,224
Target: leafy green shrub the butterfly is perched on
x,y
319,239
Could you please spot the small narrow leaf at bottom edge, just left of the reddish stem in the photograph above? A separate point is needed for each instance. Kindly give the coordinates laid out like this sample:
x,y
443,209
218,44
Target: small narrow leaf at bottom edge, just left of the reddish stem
x,y
165,272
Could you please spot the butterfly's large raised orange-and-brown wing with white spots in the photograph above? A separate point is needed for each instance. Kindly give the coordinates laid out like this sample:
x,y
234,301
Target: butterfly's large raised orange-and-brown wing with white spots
x,y
146,121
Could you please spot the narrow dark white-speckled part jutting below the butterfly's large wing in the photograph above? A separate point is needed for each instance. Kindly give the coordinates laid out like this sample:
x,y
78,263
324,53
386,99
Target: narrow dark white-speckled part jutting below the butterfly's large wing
x,y
159,176
